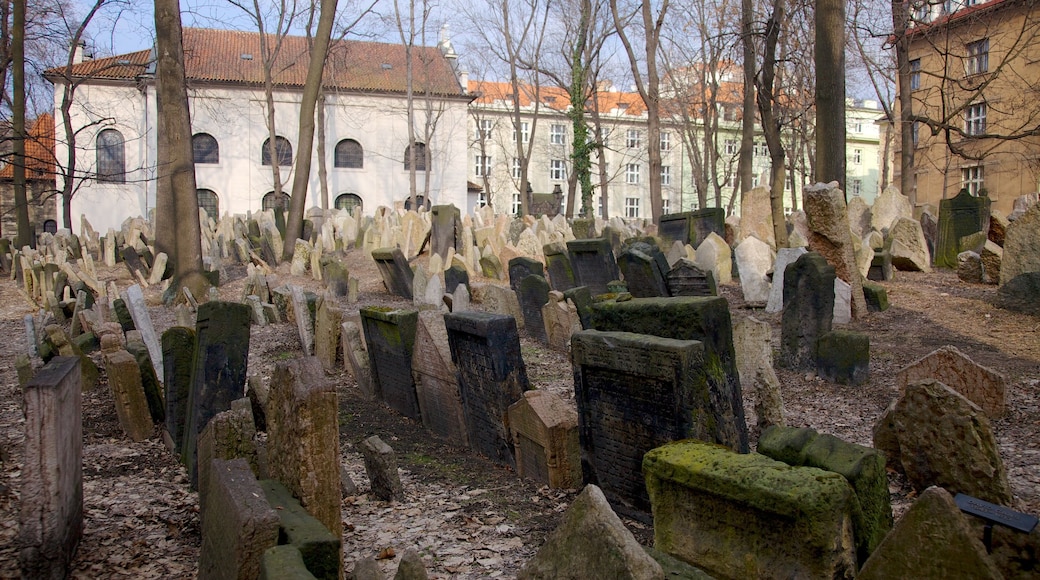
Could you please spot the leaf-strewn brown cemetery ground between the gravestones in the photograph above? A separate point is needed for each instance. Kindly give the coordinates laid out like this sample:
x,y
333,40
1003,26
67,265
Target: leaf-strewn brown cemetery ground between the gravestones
x,y
466,517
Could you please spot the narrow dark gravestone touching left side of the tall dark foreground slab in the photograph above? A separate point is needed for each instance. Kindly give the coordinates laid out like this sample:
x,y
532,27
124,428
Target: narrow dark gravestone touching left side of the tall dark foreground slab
x,y
178,350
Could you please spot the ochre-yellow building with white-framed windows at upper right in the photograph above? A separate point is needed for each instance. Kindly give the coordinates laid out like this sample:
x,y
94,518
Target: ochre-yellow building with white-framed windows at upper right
x,y
976,87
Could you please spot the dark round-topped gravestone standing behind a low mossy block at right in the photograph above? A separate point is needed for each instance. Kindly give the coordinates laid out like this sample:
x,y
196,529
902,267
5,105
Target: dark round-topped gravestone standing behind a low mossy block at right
x,y
809,313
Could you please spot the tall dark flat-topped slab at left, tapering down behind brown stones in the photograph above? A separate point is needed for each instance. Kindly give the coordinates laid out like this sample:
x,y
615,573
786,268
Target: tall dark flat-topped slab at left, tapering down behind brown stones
x,y
219,370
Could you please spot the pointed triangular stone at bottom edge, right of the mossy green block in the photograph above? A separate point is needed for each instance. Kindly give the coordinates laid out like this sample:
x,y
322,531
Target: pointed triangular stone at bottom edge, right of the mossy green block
x,y
931,542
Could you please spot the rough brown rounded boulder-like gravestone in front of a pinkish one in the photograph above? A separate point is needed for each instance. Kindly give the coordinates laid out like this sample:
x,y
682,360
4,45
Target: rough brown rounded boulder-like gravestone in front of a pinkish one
x,y
938,437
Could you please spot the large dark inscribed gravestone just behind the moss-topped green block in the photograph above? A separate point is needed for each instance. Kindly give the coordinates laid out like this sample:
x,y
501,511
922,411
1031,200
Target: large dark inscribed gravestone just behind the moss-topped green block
x,y
635,393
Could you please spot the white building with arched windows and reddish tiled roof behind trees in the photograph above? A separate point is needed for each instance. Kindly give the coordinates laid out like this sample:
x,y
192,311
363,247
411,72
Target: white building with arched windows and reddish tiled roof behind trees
x,y
367,126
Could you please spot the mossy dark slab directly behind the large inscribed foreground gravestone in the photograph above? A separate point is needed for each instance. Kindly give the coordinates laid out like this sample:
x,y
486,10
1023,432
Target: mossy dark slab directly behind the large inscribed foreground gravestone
x,y
705,320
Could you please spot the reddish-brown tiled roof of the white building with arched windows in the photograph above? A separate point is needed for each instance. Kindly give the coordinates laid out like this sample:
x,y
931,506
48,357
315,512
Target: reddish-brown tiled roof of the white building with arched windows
x,y
235,58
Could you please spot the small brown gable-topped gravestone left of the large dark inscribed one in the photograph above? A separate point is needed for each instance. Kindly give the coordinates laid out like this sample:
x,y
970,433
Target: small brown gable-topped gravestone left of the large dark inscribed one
x,y
545,437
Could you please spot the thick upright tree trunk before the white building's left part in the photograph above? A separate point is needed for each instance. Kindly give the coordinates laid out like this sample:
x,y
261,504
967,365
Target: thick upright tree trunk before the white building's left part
x,y
175,157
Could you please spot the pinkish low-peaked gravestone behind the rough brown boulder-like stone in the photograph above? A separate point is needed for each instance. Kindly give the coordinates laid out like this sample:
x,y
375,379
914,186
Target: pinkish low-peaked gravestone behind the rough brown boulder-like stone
x,y
980,385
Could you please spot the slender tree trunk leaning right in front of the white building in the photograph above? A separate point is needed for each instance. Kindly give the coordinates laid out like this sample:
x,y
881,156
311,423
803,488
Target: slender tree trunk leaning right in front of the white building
x,y
313,88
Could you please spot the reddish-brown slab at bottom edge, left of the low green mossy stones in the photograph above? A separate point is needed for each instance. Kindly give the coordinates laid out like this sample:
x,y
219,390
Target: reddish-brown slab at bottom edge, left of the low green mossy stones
x,y
239,524
